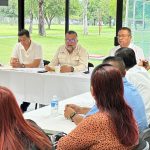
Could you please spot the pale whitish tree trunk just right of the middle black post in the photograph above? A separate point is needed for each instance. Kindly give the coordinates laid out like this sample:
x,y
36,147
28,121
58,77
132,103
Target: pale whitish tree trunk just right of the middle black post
x,y
85,24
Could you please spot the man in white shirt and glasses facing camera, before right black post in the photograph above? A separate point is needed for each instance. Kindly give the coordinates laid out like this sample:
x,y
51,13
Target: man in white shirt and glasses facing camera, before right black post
x,y
124,40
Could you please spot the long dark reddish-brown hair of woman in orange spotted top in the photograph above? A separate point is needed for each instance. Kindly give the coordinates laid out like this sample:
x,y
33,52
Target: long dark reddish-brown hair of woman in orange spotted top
x,y
107,85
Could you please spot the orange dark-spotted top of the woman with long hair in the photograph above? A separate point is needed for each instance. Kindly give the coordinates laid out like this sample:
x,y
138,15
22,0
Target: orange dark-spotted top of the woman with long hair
x,y
96,133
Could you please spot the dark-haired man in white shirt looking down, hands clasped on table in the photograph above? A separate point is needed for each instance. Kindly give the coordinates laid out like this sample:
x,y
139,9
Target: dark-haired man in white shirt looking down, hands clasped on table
x,y
26,54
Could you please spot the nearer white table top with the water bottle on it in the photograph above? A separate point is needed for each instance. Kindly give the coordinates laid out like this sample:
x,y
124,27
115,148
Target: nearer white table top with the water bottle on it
x,y
47,121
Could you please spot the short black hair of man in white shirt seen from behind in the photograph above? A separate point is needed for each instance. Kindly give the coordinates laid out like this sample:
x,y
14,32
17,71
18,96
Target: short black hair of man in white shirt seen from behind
x,y
128,56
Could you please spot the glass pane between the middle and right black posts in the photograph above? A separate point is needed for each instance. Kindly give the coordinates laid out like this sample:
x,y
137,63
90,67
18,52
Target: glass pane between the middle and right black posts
x,y
94,22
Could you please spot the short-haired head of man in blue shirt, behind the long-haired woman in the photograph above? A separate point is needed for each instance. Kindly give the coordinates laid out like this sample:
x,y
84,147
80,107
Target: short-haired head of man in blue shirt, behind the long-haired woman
x,y
119,63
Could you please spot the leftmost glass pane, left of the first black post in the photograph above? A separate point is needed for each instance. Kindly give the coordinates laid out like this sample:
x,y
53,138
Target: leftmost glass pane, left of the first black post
x,y
8,30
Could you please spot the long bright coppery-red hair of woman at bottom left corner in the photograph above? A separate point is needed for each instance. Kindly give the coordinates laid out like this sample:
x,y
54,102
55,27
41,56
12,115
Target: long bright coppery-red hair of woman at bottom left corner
x,y
12,120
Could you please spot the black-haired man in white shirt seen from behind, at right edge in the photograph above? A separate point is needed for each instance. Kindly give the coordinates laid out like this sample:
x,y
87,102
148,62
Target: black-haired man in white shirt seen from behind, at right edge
x,y
137,75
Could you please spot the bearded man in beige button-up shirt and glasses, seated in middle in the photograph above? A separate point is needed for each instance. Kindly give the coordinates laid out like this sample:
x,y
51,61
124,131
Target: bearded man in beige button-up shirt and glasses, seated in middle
x,y
71,56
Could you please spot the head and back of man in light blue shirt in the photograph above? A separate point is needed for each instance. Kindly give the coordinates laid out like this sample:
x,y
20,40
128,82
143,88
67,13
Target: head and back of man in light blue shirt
x,y
131,94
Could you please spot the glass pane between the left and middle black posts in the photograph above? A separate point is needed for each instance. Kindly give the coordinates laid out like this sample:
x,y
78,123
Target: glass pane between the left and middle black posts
x,y
54,28
